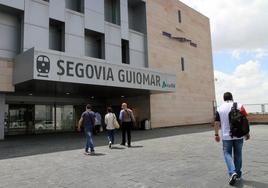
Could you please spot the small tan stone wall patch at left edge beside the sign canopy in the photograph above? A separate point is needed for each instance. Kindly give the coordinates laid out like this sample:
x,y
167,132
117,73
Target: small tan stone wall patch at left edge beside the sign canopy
x,y
6,75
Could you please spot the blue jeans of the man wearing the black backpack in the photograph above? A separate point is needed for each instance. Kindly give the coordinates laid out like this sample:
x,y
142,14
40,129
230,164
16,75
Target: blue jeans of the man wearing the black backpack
x,y
232,150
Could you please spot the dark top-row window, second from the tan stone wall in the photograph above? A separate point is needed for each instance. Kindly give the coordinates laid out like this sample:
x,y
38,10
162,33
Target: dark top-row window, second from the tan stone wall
x,y
112,11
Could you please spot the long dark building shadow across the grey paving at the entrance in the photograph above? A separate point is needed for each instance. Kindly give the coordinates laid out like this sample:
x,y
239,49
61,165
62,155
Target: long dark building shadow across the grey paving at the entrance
x,y
26,145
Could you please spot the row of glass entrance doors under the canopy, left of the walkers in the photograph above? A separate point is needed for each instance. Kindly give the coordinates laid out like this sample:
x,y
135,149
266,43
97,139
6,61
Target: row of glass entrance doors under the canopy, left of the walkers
x,y
27,119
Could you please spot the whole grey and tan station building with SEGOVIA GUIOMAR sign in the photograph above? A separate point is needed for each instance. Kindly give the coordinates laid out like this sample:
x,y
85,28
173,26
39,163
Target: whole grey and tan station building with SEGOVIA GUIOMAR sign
x,y
58,55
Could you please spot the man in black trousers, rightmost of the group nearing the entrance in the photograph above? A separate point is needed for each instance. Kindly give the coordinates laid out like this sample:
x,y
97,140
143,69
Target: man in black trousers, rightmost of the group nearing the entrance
x,y
127,119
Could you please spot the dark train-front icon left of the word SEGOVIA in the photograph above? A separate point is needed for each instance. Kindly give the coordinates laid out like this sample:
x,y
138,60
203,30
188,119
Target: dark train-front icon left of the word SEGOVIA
x,y
42,66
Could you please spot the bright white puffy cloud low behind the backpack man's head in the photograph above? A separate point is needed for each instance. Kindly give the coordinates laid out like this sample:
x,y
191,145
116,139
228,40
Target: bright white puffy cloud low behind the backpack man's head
x,y
248,83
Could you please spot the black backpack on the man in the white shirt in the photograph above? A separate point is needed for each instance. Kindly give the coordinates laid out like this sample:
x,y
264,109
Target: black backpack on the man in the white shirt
x,y
239,125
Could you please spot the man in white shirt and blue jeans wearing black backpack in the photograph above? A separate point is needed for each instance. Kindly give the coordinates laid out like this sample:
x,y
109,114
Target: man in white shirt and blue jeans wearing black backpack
x,y
231,119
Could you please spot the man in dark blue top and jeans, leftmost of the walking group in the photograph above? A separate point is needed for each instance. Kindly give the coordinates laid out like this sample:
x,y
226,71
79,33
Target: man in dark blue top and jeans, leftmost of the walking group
x,y
88,121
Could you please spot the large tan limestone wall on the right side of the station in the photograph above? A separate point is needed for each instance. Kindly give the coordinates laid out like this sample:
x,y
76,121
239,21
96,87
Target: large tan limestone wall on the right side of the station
x,y
192,103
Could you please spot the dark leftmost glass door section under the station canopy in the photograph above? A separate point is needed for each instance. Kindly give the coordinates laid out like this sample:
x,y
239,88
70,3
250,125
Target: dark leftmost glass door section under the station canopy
x,y
20,119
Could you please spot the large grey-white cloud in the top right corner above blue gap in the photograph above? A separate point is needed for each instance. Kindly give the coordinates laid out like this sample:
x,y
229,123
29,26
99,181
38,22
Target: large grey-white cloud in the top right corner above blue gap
x,y
236,24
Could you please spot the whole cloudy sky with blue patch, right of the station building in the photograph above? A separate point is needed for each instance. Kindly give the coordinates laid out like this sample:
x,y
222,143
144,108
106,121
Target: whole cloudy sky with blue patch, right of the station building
x,y
239,31
